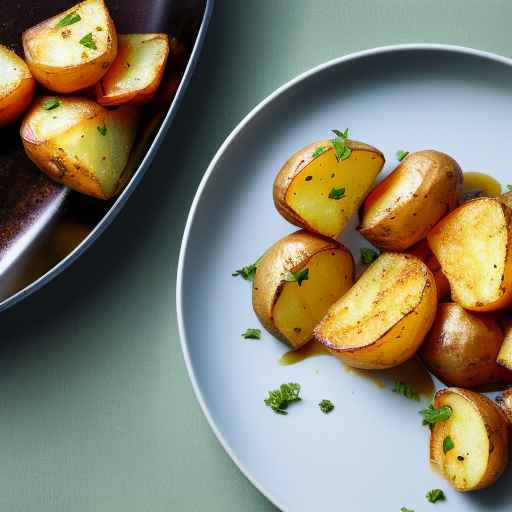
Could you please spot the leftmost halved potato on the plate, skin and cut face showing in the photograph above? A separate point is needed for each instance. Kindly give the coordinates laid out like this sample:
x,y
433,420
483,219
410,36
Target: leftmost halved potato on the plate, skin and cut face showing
x,y
296,281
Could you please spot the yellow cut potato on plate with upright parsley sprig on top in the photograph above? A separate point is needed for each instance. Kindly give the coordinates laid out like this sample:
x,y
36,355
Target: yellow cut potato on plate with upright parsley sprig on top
x,y
316,191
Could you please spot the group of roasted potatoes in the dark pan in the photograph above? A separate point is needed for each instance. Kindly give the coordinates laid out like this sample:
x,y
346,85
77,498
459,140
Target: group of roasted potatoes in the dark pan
x,y
81,141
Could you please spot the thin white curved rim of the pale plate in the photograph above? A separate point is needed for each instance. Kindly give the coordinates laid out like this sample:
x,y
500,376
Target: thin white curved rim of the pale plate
x,y
184,343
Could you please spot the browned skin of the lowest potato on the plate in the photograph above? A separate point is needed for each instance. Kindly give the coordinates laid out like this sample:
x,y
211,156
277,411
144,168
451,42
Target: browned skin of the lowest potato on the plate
x,y
497,429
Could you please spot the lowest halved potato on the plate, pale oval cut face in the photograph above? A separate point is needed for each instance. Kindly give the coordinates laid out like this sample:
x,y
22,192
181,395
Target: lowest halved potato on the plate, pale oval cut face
x,y
478,430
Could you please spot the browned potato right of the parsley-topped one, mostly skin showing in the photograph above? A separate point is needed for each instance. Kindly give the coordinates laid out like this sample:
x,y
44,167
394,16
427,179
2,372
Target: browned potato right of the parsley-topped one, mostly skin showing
x,y
402,208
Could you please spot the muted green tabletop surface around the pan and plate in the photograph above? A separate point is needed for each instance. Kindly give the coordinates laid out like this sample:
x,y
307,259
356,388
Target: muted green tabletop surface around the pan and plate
x,y
97,412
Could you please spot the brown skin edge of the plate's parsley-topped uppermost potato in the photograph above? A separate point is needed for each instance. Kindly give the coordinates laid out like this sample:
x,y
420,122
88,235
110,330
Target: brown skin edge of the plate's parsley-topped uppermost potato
x,y
294,165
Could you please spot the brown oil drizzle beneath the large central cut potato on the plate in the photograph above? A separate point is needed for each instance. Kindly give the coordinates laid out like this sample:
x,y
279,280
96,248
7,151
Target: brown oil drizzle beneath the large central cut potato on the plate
x,y
412,372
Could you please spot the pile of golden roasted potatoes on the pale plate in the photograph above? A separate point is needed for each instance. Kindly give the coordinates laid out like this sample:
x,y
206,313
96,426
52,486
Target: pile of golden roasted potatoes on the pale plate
x,y
439,287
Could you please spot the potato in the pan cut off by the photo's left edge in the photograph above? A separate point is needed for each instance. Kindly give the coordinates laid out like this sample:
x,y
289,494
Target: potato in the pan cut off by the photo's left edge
x,y
16,86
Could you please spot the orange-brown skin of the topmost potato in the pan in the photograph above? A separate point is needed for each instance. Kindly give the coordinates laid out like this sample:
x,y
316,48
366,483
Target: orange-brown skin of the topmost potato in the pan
x,y
70,78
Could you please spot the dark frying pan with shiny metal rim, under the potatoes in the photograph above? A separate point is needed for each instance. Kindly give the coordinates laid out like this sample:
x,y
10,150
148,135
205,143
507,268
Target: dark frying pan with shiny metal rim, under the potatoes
x,y
43,225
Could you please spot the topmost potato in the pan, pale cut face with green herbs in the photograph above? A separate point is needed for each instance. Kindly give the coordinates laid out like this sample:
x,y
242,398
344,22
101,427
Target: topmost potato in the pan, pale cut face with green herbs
x,y
73,49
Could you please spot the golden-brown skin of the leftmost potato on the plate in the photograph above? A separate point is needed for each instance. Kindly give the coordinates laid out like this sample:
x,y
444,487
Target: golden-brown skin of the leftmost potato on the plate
x,y
284,256
